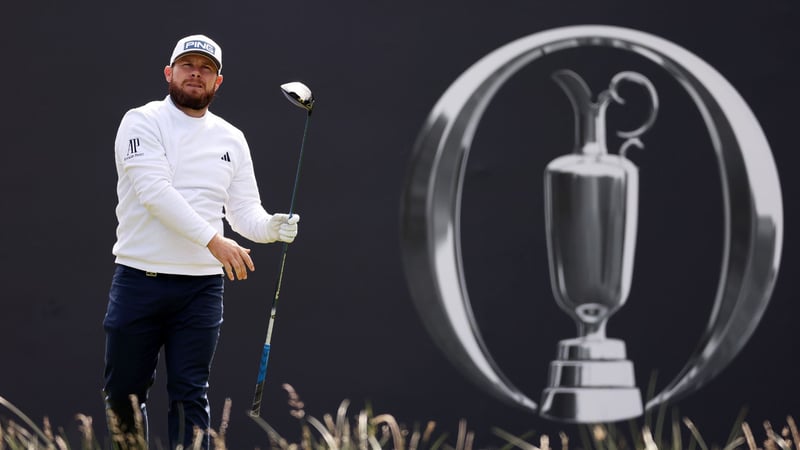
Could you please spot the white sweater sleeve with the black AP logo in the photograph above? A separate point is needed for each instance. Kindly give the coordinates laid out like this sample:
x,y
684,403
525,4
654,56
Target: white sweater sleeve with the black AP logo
x,y
143,160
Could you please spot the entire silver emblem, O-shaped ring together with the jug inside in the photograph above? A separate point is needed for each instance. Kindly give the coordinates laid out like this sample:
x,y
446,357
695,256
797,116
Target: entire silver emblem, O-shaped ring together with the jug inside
x,y
591,213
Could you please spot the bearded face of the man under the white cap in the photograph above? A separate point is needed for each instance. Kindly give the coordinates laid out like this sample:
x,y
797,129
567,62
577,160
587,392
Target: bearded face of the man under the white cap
x,y
193,81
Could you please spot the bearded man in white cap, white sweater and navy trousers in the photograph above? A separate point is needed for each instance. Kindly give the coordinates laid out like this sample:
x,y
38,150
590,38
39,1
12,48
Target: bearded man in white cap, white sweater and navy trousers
x,y
180,170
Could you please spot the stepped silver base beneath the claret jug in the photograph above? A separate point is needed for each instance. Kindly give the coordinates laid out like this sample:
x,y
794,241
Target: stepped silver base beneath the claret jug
x,y
591,382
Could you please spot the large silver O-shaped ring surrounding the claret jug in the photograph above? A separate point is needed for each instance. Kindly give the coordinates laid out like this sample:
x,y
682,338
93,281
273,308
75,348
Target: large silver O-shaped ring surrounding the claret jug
x,y
752,203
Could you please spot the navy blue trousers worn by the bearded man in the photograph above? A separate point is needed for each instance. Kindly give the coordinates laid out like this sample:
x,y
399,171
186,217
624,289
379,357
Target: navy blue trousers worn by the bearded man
x,y
181,314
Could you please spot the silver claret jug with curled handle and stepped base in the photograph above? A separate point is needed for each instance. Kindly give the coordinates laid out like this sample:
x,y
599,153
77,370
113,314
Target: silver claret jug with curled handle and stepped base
x,y
591,200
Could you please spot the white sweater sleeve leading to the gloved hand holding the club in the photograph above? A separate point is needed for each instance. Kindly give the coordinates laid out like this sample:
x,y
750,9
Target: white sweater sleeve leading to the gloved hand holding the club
x,y
243,210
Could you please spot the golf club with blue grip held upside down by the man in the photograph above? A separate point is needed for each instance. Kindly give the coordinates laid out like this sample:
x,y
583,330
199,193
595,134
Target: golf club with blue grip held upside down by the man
x,y
299,95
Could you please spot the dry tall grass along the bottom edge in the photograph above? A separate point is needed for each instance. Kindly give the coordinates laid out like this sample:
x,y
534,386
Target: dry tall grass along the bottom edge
x,y
366,431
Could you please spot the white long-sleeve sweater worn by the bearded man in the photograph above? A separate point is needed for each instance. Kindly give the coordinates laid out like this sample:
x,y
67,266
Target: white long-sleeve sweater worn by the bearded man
x,y
176,173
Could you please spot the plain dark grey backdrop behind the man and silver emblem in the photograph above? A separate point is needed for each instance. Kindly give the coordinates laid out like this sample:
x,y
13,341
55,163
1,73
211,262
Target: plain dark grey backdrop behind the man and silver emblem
x,y
347,327
